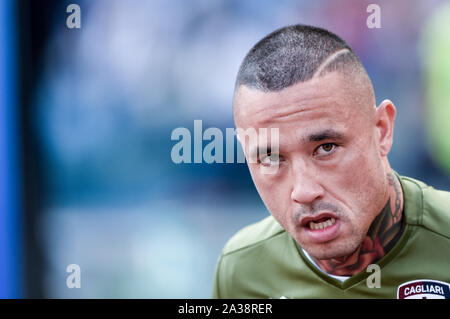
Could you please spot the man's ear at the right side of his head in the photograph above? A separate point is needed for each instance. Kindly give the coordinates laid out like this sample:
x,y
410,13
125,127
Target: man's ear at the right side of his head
x,y
385,116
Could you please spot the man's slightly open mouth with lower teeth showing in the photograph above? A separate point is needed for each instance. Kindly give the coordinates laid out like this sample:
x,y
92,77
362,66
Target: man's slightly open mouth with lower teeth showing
x,y
321,228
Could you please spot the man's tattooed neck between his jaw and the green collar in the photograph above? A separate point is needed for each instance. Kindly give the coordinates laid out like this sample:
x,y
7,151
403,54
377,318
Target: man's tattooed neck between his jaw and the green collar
x,y
383,233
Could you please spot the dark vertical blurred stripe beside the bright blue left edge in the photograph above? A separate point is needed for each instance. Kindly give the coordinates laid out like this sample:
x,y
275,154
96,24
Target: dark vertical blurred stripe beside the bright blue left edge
x,y
33,20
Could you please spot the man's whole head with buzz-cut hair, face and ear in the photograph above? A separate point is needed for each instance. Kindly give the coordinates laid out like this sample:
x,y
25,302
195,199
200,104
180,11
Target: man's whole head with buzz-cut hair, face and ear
x,y
331,163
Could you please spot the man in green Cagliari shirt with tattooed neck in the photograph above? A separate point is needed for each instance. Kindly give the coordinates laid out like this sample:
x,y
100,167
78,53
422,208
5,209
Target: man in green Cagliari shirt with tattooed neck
x,y
343,224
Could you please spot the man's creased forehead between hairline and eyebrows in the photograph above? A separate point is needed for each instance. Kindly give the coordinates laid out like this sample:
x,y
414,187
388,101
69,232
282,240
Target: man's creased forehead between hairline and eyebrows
x,y
328,100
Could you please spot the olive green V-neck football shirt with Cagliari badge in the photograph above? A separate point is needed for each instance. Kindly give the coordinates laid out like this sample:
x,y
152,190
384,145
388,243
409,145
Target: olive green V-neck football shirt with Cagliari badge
x,y
264,261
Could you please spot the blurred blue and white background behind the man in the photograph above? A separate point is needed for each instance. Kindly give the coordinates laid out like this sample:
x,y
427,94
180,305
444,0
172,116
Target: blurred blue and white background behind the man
x,y
86,117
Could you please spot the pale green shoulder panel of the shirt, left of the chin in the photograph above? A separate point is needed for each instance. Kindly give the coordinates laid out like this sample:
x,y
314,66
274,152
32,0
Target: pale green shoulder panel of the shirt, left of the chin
x,y
253,235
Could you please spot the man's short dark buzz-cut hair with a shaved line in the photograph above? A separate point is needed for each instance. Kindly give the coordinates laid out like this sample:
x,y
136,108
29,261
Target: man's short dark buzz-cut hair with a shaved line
x,y
296,54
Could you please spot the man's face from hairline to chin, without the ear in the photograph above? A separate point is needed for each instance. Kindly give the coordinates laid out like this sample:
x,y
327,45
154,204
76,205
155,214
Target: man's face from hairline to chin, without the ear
x,y
331,177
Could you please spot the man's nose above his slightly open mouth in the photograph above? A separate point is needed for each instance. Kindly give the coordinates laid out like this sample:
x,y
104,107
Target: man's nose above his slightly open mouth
x,y
306,187
